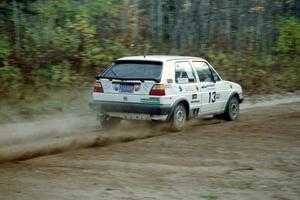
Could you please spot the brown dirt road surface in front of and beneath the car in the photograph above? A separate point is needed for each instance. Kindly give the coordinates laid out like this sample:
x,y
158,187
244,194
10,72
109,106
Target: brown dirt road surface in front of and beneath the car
x,y
256,157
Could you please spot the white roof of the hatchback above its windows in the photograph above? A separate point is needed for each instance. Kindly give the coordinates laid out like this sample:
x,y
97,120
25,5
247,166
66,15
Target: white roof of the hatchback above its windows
x,y
160,58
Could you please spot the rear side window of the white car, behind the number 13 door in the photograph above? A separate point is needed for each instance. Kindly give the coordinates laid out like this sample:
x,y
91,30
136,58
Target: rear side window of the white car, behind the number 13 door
x,y
184,73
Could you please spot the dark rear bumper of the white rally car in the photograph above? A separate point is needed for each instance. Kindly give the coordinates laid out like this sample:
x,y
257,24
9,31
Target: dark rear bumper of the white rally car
x,y
138,108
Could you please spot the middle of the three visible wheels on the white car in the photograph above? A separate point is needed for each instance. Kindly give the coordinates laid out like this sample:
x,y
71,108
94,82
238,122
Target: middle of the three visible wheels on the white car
x,y
178,118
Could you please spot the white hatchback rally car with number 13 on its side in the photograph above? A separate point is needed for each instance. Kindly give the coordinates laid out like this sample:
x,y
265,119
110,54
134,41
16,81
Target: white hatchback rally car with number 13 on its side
x,y
163,88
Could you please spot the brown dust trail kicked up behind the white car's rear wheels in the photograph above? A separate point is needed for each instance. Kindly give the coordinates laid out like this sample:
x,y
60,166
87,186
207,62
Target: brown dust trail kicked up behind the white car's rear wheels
x,y
28,140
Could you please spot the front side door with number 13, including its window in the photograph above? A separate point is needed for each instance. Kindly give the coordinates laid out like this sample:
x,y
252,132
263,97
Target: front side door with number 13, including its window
x,y
209,89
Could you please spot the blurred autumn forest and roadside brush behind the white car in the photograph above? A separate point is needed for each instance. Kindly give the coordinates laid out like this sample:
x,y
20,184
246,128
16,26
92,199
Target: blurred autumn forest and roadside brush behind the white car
x,y
50,50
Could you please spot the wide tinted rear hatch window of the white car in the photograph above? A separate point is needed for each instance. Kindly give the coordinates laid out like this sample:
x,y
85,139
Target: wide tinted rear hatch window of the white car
x,y
144,70
